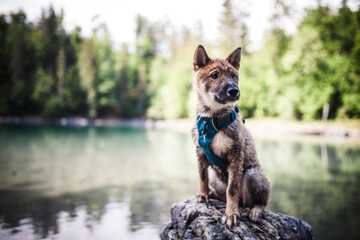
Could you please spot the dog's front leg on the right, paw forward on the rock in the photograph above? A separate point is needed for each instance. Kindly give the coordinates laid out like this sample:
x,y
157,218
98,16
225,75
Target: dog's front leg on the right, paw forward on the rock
x,y
232,214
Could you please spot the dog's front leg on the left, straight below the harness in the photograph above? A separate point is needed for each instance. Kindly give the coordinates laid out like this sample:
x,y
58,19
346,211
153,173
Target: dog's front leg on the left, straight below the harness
x,y
203,165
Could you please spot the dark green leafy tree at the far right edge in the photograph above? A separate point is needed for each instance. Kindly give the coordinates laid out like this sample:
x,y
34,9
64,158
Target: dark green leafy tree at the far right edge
x,y
340,34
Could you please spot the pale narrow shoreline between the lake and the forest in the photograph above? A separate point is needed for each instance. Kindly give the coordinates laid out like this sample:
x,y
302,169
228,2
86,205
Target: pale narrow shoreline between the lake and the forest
x,y
258,127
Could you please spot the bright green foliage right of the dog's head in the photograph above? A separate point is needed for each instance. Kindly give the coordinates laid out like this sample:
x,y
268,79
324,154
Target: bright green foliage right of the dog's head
x,y
296,75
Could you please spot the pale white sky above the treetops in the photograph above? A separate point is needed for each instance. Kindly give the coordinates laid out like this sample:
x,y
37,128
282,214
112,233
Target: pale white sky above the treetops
x,y
119,15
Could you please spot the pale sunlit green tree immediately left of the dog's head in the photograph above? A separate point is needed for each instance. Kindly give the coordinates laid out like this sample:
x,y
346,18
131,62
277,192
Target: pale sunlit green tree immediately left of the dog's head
x,y
172,82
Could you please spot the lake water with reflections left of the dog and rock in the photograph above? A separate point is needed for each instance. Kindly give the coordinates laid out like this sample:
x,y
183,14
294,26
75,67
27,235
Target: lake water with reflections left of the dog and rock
x,y
48,171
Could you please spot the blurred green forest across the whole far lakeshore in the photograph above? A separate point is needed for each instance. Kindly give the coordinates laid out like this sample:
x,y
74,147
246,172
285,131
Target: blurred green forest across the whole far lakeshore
x,y
48,71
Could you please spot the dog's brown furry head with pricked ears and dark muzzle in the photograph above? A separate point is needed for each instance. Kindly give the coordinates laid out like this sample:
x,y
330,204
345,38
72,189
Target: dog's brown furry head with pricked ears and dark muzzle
x,y
216,80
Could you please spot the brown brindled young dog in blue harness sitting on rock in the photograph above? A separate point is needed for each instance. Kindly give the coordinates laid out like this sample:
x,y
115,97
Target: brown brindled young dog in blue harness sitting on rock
x,y
223,142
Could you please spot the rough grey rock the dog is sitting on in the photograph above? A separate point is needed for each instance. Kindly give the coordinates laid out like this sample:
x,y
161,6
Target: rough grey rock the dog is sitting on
x,y
192,220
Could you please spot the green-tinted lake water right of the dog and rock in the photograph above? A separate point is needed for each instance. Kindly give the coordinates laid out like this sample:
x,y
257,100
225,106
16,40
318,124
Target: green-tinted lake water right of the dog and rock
x,y
316,182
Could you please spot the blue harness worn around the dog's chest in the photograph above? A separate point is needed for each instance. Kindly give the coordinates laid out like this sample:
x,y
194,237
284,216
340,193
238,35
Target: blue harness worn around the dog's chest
x,y
207,128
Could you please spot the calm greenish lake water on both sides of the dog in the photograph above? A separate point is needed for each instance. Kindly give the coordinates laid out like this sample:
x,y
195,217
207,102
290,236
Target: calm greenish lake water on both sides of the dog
x,y
113,183
